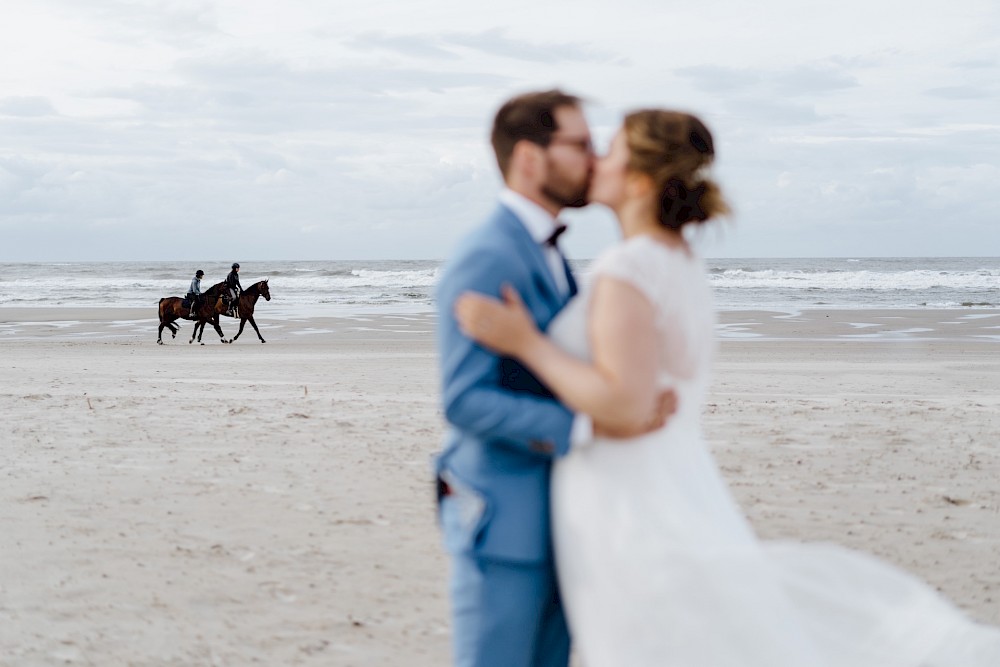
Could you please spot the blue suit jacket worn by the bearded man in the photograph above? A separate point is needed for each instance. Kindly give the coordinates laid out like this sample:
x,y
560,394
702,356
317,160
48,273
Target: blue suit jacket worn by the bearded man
x,y
506,426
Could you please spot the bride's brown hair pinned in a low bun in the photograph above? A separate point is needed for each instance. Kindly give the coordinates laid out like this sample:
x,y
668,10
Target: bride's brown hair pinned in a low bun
x,y
675,150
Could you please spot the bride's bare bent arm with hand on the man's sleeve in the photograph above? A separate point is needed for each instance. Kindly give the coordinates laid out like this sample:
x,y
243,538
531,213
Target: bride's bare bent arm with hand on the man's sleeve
x,y
618,390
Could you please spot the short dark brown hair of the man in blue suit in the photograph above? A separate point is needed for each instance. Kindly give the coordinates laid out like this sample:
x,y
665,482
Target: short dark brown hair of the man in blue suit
x,y
528,117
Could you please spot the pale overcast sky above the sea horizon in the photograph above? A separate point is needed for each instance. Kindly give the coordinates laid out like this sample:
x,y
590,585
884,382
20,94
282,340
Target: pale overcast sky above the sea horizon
x,y
319,129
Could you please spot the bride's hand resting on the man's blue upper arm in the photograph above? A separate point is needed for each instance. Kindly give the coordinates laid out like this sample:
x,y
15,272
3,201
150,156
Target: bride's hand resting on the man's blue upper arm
x,y
503,326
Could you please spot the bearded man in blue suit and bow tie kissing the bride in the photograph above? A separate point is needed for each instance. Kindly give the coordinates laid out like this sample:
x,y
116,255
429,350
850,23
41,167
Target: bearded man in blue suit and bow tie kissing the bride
x,y
506,427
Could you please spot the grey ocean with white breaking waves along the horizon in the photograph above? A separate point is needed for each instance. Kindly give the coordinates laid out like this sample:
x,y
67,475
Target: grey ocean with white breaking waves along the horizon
x,y
340,287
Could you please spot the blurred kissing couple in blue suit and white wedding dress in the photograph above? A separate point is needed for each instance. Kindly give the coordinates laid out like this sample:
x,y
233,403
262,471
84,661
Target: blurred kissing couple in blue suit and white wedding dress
x,y
577,496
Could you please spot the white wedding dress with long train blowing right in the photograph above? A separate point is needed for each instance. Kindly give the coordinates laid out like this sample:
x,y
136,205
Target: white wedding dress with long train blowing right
x,y
658,565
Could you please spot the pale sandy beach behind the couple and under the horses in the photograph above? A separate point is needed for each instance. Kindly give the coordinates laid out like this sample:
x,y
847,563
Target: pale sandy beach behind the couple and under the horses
x,y
272,504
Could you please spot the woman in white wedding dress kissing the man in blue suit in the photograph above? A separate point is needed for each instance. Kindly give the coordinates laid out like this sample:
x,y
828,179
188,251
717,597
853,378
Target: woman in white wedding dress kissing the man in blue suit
x,y
656,561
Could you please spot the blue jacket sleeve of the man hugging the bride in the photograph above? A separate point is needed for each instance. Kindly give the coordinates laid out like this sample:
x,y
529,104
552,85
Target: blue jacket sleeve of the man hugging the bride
x,y
474,399
